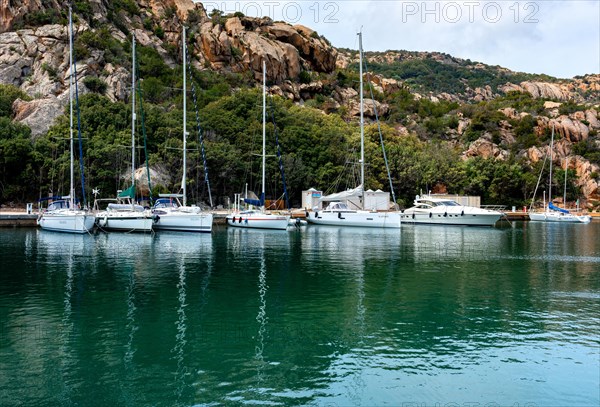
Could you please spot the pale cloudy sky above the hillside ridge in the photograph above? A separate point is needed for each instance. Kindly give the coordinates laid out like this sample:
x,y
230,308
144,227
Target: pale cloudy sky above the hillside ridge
x,y
556,37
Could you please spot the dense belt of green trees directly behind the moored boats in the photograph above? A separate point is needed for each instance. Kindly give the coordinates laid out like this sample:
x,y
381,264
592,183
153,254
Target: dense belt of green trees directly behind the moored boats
x,y
317,149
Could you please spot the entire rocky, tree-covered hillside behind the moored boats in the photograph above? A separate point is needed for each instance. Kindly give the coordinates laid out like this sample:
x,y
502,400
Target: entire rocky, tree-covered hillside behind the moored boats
x,y
449,124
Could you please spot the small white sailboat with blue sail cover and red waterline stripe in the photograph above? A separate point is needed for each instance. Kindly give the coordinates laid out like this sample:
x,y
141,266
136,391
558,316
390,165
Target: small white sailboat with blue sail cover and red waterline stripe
x,y
259,219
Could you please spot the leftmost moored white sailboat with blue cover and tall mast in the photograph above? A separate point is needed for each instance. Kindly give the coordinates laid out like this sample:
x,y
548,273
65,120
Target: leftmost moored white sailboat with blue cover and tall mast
x,y
62,214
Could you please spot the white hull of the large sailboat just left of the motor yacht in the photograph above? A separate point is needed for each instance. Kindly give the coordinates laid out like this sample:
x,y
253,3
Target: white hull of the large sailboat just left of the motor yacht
x,y
356,219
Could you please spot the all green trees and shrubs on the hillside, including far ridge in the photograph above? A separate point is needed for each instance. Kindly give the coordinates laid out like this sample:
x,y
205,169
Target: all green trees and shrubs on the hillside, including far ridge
x,y
319,150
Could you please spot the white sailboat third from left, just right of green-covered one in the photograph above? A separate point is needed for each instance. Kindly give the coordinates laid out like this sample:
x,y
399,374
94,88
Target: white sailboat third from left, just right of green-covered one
x,y
170,212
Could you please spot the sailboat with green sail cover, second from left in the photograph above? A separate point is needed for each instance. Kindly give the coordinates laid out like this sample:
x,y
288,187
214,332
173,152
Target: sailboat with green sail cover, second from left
x,y
122,213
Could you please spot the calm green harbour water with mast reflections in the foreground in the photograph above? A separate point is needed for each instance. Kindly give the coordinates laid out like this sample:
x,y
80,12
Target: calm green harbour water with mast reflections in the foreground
x,y
424,316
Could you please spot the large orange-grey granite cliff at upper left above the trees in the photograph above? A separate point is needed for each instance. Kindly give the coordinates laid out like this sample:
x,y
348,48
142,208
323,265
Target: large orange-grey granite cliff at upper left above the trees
x,y
36,59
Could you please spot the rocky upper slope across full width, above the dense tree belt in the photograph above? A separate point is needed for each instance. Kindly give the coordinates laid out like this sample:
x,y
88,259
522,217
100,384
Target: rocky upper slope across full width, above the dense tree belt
x,y
301,66
